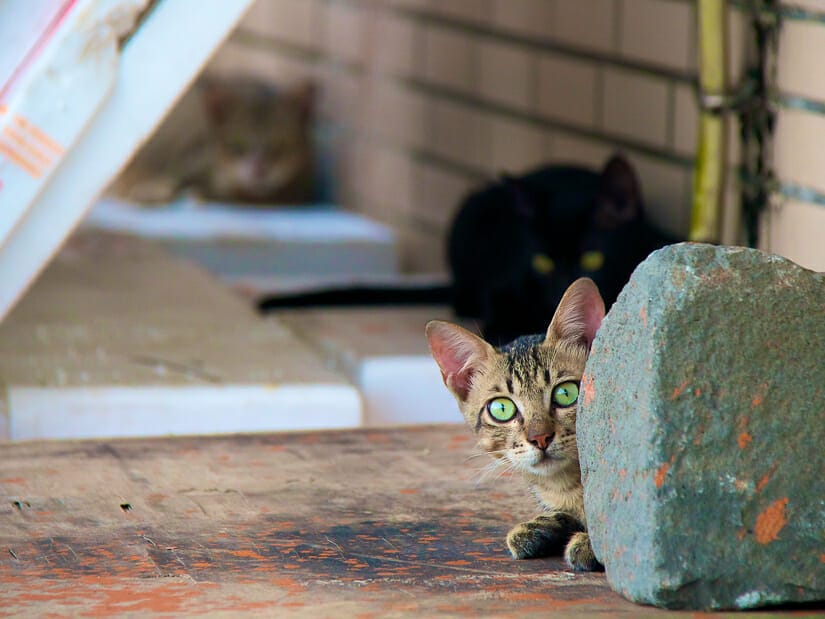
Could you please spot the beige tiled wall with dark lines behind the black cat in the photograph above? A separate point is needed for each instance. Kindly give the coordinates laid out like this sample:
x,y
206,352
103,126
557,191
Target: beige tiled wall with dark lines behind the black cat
x,y
425,99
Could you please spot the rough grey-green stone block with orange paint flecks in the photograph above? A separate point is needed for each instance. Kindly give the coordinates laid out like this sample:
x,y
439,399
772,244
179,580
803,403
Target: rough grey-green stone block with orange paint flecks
x,y
701,431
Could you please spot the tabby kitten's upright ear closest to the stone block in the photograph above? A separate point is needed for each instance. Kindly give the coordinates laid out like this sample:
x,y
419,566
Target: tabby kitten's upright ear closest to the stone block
x,y
579,314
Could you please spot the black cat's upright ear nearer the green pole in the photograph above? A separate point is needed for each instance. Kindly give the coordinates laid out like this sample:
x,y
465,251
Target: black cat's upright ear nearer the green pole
x,y
619,198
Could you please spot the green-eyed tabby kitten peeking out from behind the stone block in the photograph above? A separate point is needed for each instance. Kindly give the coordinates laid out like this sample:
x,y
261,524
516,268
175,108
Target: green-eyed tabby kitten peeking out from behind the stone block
x,y
521,400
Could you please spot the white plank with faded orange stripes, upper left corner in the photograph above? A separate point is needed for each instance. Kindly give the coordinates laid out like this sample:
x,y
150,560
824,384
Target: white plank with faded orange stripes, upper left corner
x,y
47,107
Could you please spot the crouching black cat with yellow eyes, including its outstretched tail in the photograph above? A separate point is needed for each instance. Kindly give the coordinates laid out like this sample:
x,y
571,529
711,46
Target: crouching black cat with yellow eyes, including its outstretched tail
x,y
516,245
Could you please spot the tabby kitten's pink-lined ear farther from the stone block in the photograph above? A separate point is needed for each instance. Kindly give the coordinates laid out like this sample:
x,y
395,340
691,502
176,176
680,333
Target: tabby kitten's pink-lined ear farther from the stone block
x,y
459,354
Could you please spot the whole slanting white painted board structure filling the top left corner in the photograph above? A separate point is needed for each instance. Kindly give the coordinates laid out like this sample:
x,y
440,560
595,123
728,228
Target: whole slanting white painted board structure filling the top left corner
x,y
121,112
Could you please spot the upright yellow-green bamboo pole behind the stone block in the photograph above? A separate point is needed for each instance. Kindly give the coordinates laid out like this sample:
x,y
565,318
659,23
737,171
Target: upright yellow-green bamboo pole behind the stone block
x,y
709,171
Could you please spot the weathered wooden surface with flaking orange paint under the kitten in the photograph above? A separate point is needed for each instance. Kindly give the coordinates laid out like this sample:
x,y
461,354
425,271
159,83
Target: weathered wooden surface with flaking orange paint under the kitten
x,y
326,524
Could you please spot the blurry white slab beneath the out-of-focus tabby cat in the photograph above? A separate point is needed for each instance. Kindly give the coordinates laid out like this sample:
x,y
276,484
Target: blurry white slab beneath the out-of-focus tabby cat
x,y
273,249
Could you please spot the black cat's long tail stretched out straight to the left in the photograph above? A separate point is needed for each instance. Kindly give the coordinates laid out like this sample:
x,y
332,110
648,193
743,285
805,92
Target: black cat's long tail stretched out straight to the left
x,y
372,295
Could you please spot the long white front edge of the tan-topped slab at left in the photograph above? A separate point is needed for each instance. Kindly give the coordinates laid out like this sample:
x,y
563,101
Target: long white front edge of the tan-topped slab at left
x,y
105,412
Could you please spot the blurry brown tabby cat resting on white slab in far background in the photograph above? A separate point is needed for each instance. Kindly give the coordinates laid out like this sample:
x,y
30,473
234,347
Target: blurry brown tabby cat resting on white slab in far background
x,y
229,140
